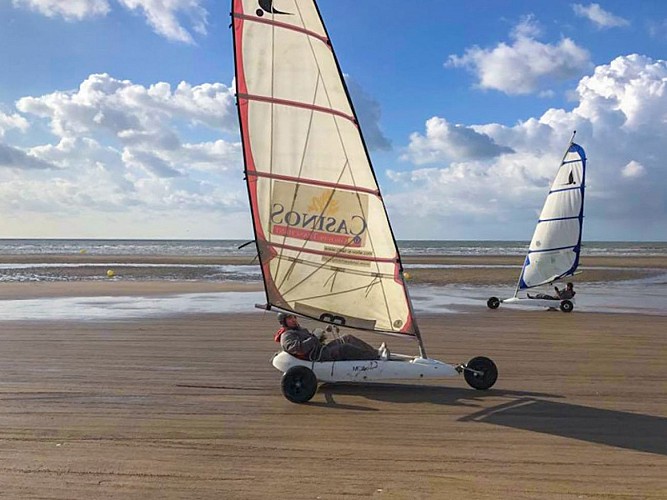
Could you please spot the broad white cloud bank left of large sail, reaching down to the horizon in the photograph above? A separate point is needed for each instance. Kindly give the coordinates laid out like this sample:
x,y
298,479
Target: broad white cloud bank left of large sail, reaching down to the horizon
x,y
121,153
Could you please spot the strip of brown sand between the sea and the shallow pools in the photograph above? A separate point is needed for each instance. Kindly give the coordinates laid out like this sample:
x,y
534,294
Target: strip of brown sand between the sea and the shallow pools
x,y
161,274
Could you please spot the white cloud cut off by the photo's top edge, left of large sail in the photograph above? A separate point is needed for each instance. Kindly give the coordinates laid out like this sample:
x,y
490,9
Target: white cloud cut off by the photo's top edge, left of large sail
x,y
166,17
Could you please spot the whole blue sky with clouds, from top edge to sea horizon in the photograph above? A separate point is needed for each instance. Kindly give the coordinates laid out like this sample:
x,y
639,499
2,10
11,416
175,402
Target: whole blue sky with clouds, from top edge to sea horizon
x,y
118,118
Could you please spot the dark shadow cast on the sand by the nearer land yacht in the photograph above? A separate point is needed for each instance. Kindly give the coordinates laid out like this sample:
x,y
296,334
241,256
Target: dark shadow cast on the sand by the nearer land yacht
x,y
524,410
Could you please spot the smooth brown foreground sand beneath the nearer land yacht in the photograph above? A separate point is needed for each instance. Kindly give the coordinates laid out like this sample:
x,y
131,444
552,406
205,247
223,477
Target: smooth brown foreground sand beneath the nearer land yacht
x,y
190,407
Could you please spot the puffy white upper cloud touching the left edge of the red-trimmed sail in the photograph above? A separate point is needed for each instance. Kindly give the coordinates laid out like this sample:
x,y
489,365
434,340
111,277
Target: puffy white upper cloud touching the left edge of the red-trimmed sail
x,y
134,114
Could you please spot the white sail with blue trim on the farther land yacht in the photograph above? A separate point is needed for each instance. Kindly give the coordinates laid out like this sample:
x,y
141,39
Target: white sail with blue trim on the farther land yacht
x,y
556,244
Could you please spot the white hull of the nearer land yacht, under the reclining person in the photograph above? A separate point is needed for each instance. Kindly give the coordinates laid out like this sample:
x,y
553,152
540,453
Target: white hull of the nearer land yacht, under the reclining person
x,y
370,370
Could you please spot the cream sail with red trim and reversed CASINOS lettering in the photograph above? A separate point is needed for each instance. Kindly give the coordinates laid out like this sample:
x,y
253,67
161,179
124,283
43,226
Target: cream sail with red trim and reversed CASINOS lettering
x,y
324,241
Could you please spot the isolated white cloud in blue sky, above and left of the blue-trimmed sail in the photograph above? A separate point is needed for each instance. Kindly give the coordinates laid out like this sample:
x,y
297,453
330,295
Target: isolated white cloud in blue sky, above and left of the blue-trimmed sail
x,y
526,65
